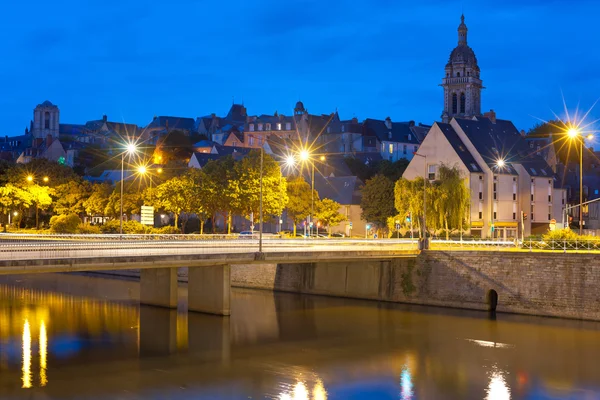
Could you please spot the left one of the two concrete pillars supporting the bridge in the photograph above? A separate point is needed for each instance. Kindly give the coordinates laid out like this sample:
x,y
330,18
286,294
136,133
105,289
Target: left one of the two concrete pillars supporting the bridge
x,y
158,287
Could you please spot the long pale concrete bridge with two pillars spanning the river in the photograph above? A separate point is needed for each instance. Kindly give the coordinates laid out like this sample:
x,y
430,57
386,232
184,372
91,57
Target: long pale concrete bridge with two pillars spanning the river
x,y
209,261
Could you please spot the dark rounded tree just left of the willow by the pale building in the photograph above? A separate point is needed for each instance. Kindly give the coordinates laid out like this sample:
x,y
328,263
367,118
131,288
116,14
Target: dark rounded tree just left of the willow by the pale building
x,y
377,201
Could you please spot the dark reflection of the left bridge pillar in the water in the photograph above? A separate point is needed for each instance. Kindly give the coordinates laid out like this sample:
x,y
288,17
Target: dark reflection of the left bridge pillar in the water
x,y
158,331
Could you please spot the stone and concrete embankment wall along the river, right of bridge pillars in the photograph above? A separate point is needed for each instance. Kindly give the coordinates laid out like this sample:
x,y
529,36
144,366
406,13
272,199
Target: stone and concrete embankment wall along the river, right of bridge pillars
x,y
558,285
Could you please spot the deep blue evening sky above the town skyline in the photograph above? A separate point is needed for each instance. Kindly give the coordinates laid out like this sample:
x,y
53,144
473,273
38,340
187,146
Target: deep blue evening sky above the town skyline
x,y
132,59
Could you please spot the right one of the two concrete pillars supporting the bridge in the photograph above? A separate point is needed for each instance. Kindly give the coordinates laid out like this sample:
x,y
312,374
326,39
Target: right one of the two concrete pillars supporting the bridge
x,y
209,289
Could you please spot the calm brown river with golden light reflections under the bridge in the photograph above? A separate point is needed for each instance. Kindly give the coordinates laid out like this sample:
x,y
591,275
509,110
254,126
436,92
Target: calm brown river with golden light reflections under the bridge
x,y
77,336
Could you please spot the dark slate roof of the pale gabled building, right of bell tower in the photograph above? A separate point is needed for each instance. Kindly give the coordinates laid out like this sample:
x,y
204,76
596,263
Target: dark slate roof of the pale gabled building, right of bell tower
x,y
502,141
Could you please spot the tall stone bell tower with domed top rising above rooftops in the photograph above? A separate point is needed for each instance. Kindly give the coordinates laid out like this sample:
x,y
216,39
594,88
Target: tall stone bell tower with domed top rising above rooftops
x,y
462,85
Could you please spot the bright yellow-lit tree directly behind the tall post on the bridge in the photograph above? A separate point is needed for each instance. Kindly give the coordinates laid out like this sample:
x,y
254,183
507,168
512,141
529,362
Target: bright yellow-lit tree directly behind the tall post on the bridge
x,y
246,186
